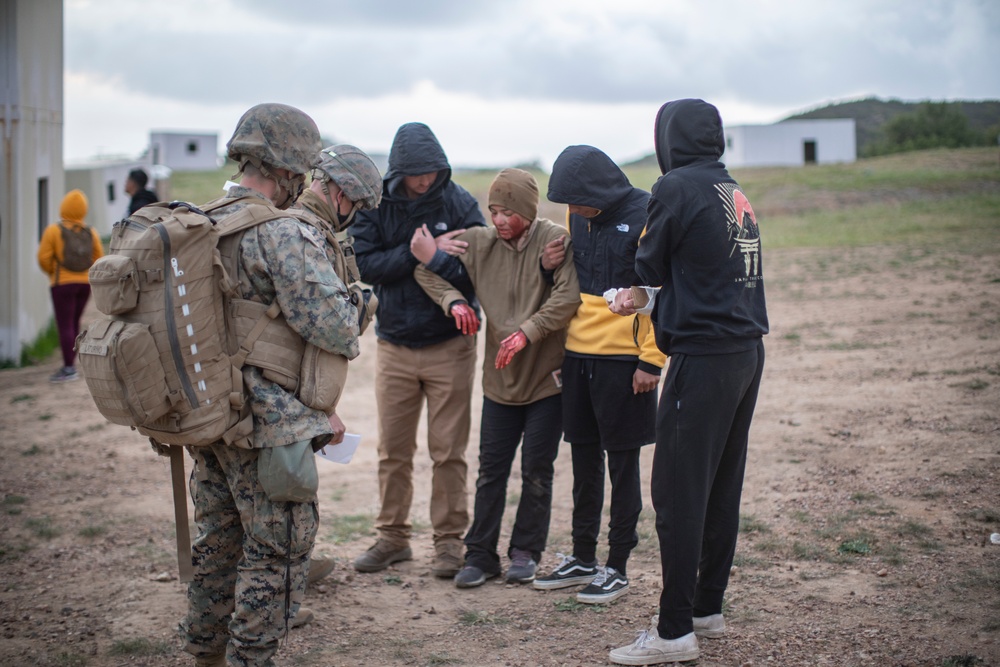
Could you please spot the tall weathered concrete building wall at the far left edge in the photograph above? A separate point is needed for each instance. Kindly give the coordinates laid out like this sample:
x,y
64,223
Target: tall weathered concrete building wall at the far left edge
x,y
32,182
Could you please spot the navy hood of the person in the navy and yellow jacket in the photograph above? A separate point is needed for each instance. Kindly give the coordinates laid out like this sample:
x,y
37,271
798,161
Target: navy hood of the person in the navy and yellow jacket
x,y
586,176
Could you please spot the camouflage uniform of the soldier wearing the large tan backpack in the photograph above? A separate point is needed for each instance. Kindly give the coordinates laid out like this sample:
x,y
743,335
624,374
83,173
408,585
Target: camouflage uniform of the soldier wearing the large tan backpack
x,y
251,554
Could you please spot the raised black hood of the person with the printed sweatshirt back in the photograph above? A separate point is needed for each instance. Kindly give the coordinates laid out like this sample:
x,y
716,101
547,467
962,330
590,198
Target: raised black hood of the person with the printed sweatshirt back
x,y
687,131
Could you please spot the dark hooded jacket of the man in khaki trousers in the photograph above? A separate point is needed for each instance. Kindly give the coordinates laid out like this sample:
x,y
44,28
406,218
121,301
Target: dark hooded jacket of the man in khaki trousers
x,y
406,315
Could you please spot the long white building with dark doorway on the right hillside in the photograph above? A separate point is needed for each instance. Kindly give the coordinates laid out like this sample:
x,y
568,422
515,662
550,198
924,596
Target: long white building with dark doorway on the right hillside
x,y
791,143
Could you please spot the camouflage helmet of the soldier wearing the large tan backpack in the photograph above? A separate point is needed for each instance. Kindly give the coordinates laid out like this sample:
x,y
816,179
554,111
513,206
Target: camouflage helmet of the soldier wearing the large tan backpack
x,y
277,135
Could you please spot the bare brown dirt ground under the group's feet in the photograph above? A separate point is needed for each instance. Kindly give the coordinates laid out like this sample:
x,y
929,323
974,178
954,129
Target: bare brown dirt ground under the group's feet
x,y
872,489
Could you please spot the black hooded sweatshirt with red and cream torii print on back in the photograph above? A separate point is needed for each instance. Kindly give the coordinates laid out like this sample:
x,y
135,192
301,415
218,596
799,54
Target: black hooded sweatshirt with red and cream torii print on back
x,y
702,243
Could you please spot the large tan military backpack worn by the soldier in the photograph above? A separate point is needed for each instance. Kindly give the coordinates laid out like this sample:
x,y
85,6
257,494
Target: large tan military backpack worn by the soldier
x,y
167,356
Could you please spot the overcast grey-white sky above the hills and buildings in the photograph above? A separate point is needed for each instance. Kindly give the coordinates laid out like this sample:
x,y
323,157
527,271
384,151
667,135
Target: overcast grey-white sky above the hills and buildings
x,y
505,81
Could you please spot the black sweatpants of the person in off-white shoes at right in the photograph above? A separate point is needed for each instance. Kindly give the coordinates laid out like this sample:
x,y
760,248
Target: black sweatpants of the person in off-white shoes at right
x,y
702,425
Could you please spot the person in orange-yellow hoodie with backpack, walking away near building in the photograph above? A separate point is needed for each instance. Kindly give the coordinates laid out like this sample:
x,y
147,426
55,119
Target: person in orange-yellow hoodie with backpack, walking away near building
x,y
67,250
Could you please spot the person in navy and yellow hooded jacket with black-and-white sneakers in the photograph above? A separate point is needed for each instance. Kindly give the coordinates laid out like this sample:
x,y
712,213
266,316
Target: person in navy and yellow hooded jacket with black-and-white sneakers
x,y
610,374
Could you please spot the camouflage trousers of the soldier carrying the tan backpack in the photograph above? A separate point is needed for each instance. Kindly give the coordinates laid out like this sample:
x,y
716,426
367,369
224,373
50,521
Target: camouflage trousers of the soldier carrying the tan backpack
x,y
237,600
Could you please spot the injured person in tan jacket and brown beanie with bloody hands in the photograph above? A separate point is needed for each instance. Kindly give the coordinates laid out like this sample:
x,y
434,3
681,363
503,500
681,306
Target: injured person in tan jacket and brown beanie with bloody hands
x,y
526,317
